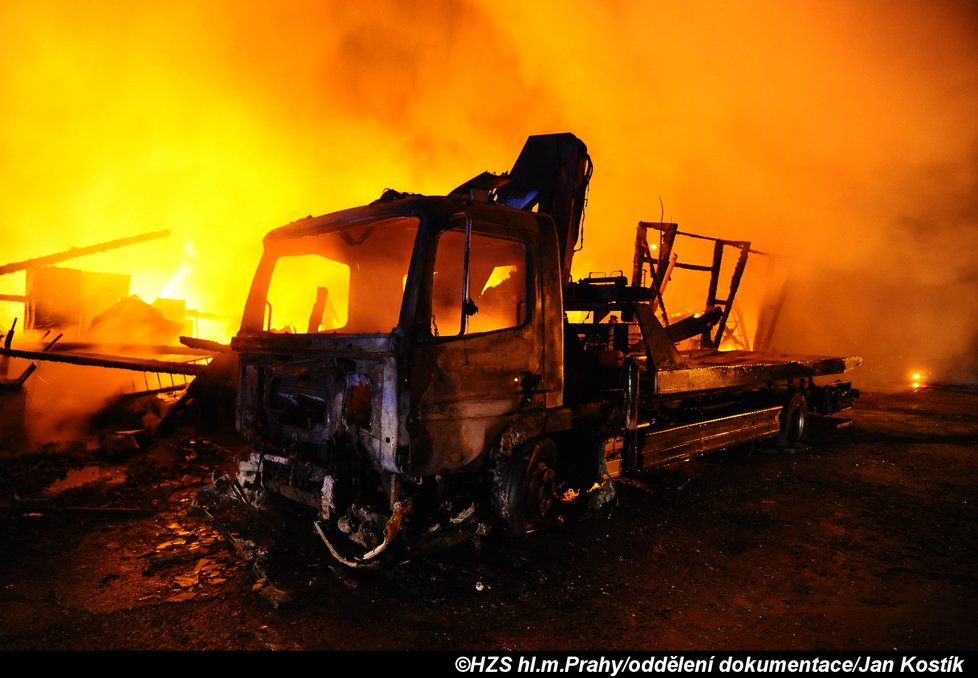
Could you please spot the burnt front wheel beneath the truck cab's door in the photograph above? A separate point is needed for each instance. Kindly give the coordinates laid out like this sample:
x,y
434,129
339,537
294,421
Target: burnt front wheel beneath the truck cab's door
x,y
529,487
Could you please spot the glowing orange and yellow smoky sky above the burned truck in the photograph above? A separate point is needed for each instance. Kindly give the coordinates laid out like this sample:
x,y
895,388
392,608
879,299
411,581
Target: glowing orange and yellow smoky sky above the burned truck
x,y
839,134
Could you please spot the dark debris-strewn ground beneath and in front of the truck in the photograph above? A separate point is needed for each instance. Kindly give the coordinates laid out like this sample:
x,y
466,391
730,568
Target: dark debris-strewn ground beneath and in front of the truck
x,y
866,541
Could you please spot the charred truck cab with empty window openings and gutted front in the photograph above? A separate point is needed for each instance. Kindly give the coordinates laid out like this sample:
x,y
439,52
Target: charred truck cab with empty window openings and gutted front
x,y
365,383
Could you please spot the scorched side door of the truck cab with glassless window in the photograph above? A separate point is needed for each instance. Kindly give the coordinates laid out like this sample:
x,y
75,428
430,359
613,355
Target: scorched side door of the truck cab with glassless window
x,y
480,349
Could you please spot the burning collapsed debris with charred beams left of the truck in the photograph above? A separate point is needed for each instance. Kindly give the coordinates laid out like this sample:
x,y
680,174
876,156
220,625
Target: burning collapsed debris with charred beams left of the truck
x,y
109,328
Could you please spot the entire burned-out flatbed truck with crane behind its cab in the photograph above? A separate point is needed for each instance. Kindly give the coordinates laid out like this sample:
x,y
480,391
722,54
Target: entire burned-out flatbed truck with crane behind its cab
x,y
422,369
